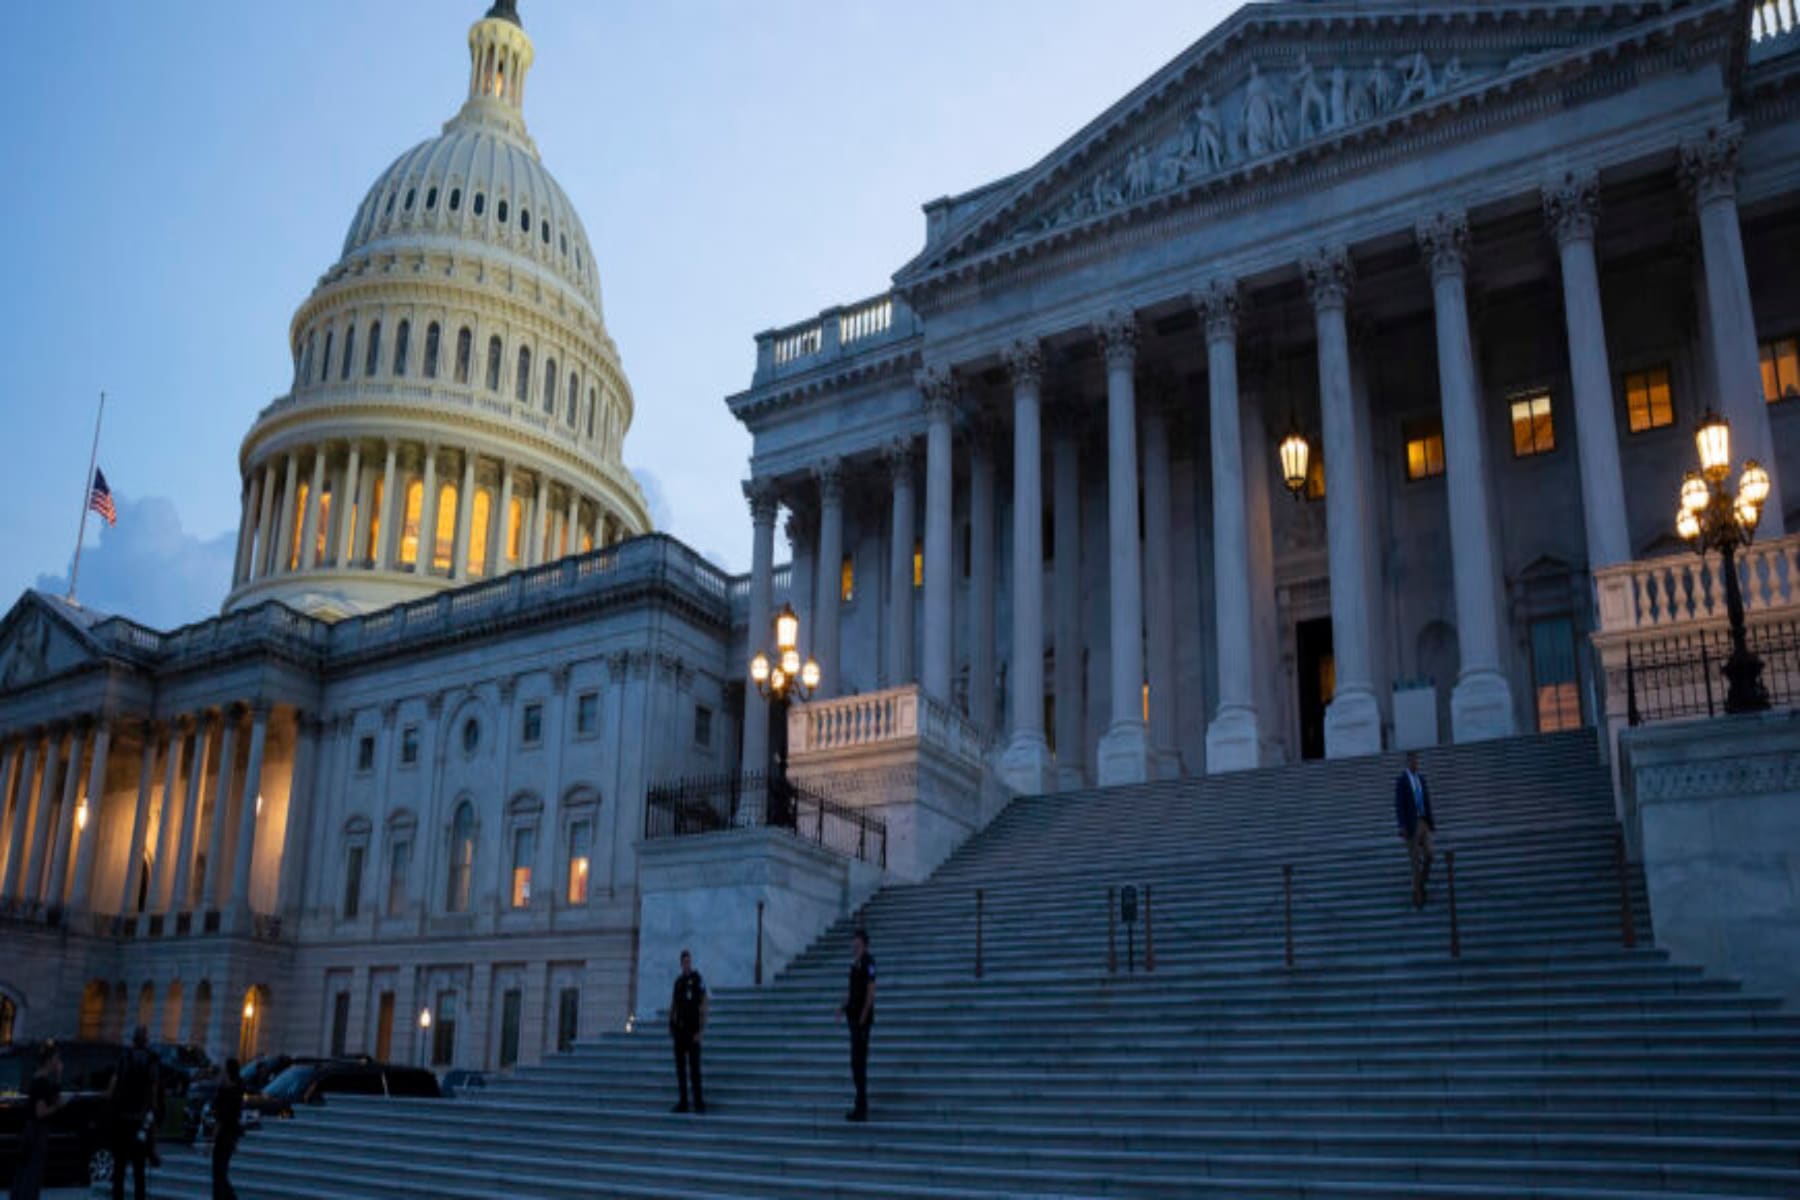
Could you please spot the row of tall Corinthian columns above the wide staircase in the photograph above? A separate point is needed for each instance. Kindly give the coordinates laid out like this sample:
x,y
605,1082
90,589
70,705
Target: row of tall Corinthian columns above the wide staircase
x,y
1142,604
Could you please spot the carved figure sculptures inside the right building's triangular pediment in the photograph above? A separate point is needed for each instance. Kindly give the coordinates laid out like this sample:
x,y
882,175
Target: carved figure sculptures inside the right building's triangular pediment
x,y
1266,116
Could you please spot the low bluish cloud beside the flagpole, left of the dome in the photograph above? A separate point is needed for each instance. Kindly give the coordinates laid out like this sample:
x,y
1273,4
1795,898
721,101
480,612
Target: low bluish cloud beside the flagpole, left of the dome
x,y
150,569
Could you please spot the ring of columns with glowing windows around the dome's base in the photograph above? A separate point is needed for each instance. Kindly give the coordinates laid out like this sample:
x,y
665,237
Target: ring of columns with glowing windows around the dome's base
x,y
364,535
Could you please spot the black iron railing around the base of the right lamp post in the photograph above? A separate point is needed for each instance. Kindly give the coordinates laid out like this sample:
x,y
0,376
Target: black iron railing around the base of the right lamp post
x,y
1682,676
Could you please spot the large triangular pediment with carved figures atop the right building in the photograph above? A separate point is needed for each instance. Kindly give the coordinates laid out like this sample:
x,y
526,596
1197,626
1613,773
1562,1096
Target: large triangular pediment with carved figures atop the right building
x,y
1282,85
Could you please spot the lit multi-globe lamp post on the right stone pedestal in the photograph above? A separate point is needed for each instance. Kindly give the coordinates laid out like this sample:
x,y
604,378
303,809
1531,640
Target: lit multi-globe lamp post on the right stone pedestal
x,y
1714,519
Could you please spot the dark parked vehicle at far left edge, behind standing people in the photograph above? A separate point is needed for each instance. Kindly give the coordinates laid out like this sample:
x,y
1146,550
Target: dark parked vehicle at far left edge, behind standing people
x,y
80,1131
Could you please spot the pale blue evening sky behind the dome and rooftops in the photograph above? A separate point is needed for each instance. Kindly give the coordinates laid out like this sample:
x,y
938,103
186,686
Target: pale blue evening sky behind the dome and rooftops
x,y
184,172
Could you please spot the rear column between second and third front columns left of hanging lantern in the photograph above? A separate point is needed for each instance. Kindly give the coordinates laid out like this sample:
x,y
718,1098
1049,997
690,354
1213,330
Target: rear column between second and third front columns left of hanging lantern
x,y
1066,575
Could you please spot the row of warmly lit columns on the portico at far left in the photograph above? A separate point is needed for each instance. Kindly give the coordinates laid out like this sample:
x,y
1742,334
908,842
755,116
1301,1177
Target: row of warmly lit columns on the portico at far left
x,y
42,834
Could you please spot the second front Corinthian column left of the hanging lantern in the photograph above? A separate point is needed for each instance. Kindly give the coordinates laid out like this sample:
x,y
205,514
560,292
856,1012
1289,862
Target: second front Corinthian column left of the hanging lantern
x,y
1124,753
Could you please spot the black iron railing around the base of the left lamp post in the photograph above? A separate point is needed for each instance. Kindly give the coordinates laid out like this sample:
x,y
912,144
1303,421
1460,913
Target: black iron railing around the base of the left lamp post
x,y
755,800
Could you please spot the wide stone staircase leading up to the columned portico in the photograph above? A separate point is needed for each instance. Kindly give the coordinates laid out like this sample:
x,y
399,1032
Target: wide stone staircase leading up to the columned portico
x,y
1545,1061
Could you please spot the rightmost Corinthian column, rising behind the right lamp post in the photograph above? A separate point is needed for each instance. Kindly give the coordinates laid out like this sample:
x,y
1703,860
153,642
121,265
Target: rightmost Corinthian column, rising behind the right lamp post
x,y
1711,170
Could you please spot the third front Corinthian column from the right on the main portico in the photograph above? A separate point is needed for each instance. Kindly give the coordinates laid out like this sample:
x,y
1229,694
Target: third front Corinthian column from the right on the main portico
x,y
1482,699
